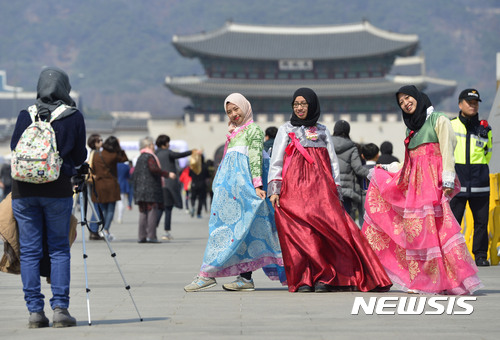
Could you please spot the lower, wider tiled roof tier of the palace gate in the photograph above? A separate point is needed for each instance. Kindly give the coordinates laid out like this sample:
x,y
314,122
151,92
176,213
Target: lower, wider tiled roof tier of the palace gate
x,y
204,86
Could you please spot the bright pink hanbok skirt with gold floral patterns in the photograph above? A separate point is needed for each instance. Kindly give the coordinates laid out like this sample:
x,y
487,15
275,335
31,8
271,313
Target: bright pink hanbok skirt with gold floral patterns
x,y
410,226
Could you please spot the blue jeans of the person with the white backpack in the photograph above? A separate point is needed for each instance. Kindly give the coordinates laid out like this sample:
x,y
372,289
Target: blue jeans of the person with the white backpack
x,y
38,217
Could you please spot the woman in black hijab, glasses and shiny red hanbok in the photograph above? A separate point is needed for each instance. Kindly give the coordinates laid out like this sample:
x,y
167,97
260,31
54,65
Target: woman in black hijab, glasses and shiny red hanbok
x,y
323,249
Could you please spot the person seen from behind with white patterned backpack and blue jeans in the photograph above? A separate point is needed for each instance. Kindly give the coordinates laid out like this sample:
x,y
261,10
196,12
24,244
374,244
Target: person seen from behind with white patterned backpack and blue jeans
x,y
43,209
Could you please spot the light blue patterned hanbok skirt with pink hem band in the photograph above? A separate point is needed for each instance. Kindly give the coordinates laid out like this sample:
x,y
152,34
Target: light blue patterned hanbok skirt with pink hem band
x,y
242,231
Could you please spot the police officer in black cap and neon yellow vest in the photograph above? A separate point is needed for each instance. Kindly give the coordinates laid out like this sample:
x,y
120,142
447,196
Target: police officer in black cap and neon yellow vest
x,y
472,155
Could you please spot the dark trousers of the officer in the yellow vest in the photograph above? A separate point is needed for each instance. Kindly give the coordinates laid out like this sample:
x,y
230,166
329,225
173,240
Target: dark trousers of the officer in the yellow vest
x,y
480,207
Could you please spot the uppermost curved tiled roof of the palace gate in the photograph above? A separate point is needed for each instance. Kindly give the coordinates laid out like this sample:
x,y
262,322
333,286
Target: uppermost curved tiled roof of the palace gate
x,y
296,42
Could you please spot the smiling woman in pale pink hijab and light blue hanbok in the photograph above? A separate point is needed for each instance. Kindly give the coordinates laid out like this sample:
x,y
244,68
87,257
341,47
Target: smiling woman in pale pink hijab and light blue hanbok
x,y
242,232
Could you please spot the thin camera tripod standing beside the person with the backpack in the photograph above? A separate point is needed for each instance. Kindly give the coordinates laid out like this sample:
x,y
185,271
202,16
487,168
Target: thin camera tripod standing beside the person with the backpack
x,y
81,188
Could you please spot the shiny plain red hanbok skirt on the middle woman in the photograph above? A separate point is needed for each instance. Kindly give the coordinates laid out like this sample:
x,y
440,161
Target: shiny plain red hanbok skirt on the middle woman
x,y
319,241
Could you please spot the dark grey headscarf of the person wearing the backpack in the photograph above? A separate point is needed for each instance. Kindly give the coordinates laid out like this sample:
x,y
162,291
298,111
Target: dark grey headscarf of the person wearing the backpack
x,y
53,90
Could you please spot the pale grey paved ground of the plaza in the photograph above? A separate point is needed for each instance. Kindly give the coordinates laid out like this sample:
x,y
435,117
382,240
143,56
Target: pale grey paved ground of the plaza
x,y
157,274
